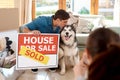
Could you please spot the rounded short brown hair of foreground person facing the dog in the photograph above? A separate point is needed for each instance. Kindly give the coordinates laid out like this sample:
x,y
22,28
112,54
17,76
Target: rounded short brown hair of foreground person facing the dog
x,y
99,39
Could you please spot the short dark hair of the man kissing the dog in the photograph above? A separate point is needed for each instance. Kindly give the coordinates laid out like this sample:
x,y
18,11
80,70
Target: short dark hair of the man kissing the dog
x,y
61,14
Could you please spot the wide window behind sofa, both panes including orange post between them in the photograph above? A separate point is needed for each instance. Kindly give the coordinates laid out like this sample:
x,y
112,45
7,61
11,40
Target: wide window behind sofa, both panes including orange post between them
x,y
105,7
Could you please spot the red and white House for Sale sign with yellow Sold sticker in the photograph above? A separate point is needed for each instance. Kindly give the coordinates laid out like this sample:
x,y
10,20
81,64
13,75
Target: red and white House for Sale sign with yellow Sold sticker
x,y
37,51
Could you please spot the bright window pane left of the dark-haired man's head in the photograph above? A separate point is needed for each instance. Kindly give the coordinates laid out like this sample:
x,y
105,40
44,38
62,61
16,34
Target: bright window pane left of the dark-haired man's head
x,y
46,7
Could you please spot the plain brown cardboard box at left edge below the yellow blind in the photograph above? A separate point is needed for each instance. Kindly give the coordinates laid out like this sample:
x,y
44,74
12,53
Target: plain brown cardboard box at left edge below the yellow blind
x,y
9,19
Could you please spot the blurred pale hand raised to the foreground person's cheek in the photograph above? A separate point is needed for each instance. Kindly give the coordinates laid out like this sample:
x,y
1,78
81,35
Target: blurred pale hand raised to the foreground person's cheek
x,y
81,69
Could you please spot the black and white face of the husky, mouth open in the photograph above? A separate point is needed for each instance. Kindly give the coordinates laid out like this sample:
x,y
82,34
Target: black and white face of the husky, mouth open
x,y
68,34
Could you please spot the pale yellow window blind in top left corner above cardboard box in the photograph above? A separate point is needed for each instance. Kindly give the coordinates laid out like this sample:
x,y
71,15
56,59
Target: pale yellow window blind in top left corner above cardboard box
x,y
7,4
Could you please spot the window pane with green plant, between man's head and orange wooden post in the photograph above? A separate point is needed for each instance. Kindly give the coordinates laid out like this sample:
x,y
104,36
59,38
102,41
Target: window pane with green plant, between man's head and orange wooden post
x,y
78,6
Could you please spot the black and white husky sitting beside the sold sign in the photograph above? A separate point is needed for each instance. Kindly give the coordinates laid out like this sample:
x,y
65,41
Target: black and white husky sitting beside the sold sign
x,y
68,51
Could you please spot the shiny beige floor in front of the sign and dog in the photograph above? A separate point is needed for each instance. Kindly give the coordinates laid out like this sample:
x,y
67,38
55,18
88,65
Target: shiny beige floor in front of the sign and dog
x,y
47,75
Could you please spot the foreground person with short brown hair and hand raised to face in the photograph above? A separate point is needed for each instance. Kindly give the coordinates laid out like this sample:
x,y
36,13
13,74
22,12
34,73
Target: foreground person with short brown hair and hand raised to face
x,y
97,42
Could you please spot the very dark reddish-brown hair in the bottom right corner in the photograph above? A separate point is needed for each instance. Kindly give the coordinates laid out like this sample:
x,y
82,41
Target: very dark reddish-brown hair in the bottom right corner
x,y
107,65
